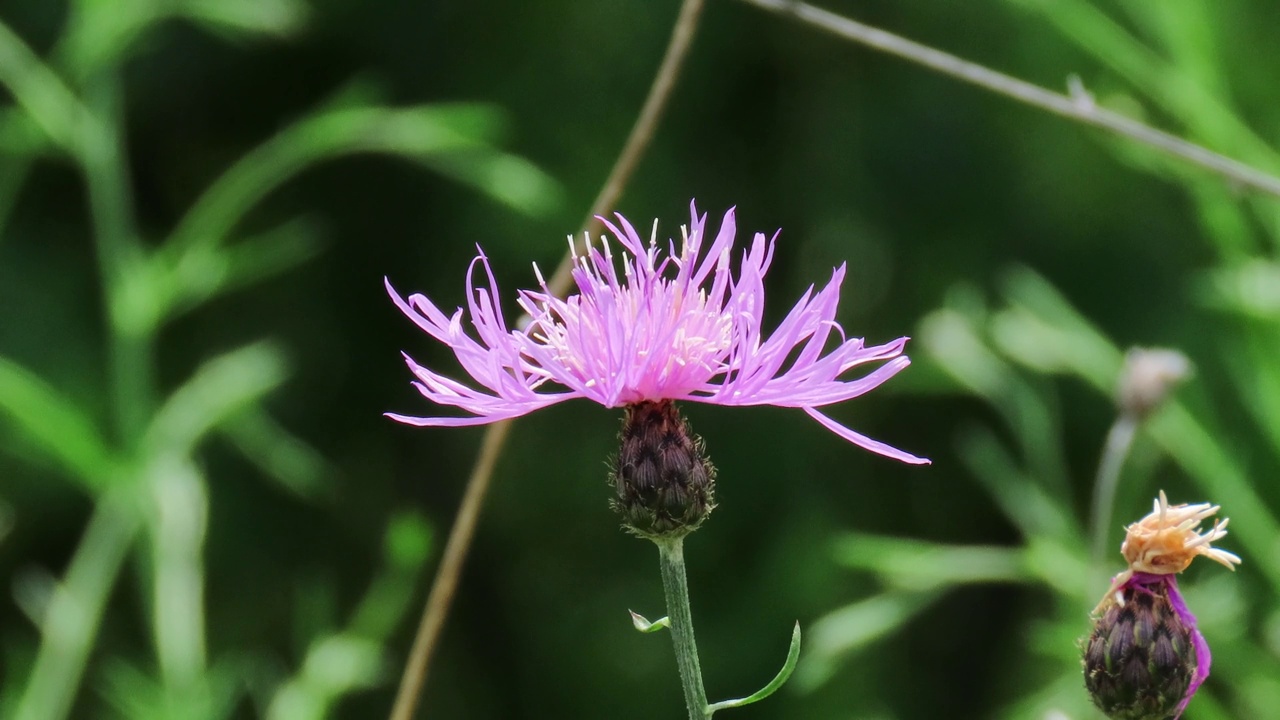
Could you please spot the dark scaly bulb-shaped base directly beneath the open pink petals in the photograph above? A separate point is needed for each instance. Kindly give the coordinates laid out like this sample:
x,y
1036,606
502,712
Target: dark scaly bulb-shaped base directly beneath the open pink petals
x,y
665,485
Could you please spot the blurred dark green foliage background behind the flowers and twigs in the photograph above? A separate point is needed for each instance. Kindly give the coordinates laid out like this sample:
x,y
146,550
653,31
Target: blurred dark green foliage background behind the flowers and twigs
x,y
204,514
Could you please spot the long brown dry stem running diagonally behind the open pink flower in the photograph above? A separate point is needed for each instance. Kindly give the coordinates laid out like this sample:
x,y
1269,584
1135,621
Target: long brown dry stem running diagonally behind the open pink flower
x,y
496,436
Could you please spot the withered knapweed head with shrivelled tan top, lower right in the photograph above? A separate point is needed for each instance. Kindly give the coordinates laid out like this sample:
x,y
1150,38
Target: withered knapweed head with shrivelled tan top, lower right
x,y
1146,658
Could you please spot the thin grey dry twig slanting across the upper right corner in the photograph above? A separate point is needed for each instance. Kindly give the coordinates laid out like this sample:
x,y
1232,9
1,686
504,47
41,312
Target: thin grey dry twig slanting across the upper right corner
x,y
1078,107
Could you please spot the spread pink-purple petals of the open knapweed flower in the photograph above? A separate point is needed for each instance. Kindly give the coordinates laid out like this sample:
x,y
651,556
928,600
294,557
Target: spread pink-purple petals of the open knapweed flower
x,y
651,326
